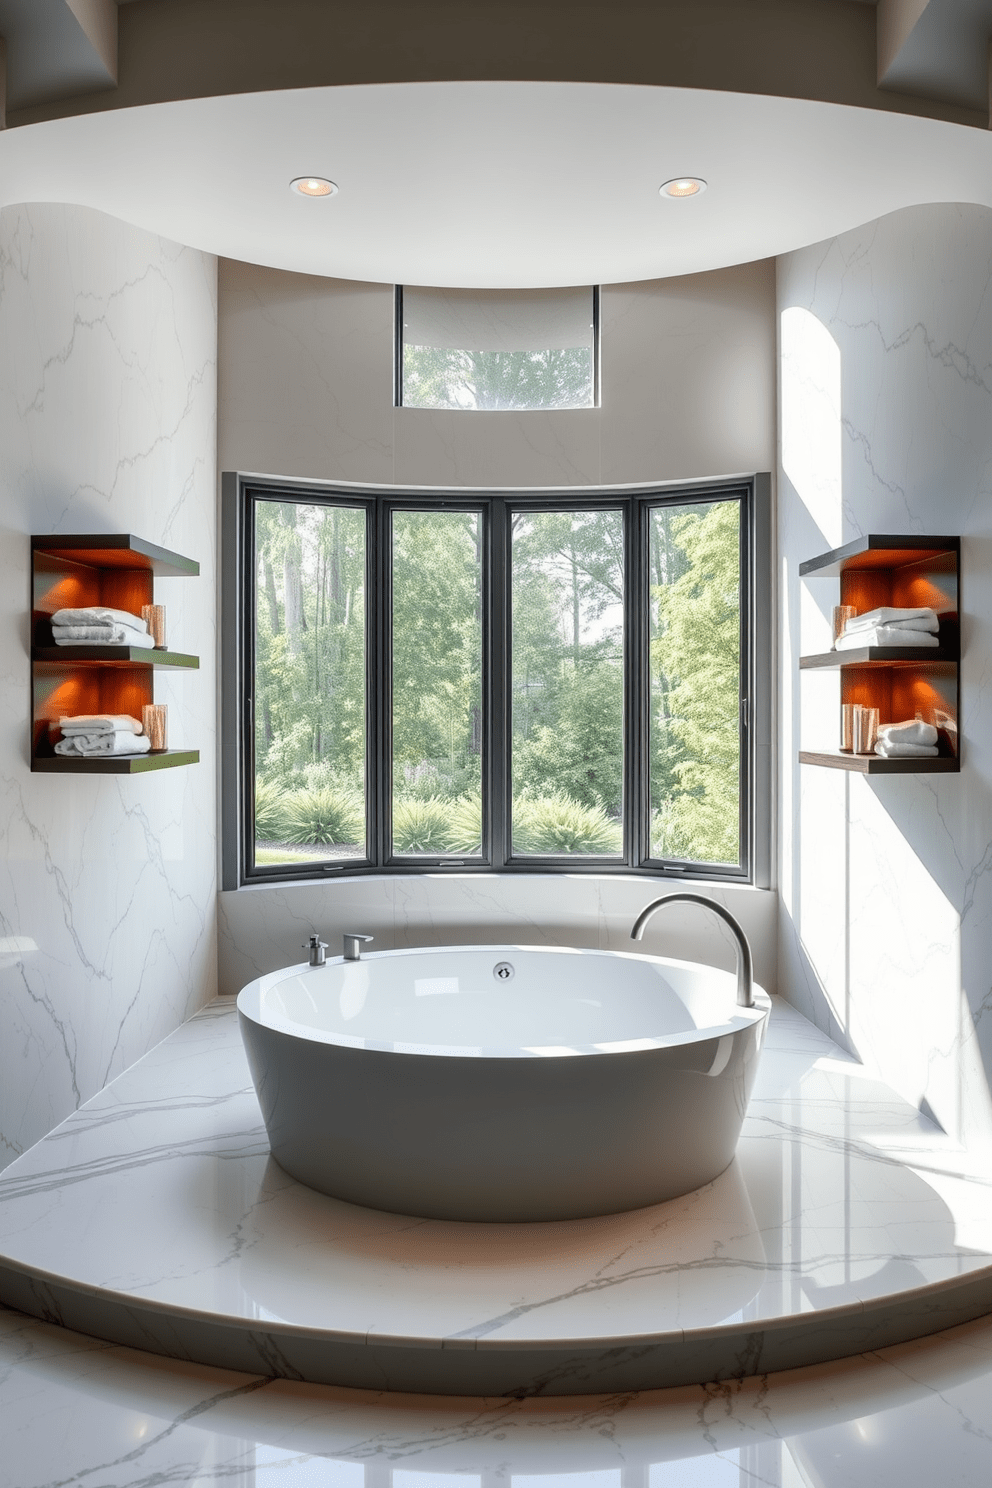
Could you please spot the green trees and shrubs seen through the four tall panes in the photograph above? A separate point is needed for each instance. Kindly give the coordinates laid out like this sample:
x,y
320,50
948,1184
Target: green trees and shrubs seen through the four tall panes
x,y
567,685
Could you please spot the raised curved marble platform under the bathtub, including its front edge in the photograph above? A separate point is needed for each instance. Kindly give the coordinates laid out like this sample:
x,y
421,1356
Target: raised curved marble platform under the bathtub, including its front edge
x,y
155,1218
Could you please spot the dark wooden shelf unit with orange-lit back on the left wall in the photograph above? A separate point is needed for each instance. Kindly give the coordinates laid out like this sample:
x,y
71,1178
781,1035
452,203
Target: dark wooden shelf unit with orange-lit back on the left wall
x,y
72,572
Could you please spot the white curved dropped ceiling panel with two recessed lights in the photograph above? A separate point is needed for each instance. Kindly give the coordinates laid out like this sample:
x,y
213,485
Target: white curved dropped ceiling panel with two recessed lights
x,y
496,184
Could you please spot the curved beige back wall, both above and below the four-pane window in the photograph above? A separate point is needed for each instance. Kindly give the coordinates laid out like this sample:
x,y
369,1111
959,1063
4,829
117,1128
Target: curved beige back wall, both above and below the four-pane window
x,y
306,389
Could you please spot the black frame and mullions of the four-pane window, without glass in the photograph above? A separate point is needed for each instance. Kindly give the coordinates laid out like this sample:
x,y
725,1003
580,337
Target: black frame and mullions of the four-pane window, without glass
x,y
240,495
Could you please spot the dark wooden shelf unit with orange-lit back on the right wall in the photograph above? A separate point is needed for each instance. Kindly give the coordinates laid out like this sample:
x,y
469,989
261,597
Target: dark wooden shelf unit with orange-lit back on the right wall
x,y
901,682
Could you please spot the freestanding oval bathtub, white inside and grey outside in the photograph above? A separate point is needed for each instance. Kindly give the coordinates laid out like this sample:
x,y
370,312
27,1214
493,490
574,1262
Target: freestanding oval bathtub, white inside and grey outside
x,y
438,1083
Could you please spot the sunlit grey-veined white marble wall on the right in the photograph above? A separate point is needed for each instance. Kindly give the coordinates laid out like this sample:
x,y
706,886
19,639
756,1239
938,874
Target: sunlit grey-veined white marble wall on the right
x,y
887,426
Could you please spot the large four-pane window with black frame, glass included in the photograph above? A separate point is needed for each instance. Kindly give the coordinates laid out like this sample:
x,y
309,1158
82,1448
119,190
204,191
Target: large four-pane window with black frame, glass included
x,y
499,681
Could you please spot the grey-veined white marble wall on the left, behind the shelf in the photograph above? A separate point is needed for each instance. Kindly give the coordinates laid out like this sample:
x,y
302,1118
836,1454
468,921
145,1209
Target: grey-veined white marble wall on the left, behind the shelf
x,y
108,423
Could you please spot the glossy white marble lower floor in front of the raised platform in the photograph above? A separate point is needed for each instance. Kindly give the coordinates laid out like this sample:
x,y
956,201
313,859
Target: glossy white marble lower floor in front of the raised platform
x,y
77,1411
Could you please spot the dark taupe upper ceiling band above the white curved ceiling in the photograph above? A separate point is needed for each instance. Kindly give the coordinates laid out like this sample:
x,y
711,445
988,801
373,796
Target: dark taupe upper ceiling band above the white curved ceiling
x,y
60,51
